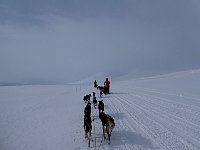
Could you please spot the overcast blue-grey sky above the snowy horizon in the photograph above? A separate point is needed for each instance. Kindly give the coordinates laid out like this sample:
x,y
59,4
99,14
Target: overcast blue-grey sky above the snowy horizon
x,y
66,40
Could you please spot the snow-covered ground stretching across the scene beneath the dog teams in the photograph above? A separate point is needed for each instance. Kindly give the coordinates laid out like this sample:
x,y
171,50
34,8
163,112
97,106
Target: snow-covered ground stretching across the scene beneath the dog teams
x,y
155,113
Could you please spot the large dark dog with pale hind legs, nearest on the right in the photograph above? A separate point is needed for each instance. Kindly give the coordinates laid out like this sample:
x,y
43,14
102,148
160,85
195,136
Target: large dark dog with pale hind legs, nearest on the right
x,y
108,124
